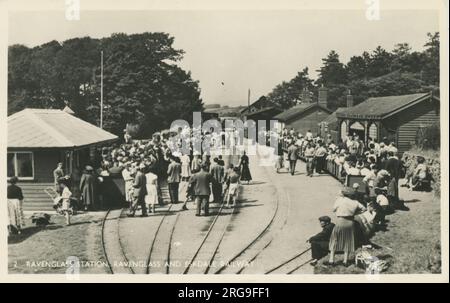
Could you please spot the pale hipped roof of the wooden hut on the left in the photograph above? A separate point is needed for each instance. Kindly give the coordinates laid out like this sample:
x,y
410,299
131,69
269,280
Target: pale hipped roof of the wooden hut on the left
x,y
52,128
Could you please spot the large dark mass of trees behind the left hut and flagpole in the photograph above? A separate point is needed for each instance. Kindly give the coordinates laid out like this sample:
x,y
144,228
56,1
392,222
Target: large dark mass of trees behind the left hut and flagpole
x,y
142,83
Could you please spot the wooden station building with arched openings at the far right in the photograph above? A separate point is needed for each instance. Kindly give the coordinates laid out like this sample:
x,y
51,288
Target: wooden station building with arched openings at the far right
x,y
395,118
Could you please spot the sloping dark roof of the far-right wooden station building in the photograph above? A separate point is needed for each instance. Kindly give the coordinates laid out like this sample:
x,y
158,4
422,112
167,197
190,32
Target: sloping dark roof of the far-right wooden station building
x,y
381,107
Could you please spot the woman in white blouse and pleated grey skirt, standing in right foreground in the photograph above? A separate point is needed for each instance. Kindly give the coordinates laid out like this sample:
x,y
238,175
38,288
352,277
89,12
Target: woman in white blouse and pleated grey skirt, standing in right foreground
x,y
343,235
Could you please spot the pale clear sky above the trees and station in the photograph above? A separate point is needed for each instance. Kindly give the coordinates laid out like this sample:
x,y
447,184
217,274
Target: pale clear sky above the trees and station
x,y
243,49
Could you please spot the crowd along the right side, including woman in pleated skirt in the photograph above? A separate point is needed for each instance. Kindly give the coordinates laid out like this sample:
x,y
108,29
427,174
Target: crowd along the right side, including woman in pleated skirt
x,y
362,206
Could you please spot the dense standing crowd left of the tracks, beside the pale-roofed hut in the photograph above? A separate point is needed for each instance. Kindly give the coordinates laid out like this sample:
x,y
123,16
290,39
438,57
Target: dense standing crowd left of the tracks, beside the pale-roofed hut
x,y
148,165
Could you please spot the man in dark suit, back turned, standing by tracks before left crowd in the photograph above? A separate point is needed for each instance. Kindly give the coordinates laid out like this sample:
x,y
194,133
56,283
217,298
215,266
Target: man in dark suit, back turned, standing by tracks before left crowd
x,y
200,183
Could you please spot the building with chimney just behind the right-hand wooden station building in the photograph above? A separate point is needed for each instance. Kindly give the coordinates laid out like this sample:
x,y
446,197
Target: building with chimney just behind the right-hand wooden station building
x,y
306,116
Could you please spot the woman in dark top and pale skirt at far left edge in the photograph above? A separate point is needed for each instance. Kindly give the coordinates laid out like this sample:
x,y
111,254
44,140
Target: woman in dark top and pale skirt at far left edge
x,y
15,210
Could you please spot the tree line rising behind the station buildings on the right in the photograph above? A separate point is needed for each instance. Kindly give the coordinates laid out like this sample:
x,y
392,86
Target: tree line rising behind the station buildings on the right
x,y
371,74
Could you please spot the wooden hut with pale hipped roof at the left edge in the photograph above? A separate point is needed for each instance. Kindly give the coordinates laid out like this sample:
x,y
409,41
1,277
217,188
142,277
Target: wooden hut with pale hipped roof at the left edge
x,y
38,139
